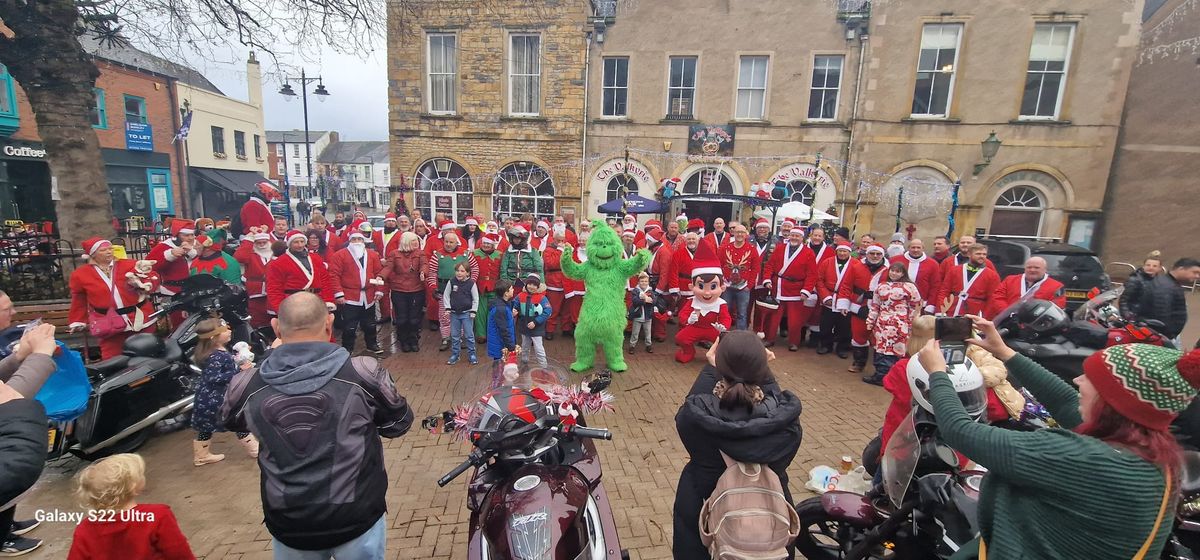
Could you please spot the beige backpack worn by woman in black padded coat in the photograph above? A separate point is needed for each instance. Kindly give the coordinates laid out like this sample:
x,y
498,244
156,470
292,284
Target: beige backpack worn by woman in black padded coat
x,y
748,516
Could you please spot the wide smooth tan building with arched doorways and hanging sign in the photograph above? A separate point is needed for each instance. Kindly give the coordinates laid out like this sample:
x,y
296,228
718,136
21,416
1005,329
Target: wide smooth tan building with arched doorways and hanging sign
x,y
897,95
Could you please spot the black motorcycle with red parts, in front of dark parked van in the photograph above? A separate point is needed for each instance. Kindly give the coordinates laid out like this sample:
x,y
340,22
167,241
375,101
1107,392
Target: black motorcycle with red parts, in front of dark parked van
x,y
1045,333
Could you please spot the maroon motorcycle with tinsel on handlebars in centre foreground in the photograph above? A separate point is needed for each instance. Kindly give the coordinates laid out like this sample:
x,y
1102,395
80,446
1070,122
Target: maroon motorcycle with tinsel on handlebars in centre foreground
x,y
537,490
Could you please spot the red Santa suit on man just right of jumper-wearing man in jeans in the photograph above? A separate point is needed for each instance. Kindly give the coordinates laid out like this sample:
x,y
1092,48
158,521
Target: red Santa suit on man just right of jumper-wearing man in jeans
x,y
793,276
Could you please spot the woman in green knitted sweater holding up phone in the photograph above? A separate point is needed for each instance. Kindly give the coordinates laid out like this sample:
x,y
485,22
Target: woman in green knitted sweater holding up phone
x,y
1105,487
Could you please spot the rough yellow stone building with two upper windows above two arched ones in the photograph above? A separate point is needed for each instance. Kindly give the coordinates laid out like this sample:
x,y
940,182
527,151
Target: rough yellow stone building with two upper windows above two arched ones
x,y
487,106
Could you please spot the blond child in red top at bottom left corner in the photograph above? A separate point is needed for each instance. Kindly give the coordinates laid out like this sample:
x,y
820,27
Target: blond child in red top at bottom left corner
x,y
121,527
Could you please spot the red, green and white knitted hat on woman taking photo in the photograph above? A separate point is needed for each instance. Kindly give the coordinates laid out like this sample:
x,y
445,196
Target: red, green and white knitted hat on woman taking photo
x,y
1148,384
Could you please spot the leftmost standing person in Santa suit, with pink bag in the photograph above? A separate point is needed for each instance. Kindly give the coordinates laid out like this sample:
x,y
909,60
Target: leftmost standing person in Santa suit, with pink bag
x,y
95,292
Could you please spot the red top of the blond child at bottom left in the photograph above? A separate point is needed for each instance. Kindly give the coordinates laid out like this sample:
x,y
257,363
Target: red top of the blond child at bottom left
x,y
147,532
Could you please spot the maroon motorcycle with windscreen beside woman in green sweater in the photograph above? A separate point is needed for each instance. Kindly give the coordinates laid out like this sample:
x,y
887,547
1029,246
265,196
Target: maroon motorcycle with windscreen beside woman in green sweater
x,y
927,509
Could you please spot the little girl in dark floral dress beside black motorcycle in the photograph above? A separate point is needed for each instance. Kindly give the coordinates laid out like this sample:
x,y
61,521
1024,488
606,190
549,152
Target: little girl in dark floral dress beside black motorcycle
x,y
219,368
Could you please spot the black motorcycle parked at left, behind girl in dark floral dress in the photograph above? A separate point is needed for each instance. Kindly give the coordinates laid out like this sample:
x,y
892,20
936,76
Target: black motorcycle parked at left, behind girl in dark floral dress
x,y
154,381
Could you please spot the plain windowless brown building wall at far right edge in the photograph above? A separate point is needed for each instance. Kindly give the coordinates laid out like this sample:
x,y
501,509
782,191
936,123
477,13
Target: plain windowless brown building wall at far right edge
x,y
1154,188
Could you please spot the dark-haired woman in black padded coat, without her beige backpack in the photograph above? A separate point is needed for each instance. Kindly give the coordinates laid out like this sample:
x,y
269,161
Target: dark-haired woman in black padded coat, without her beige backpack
x,y
735,407
